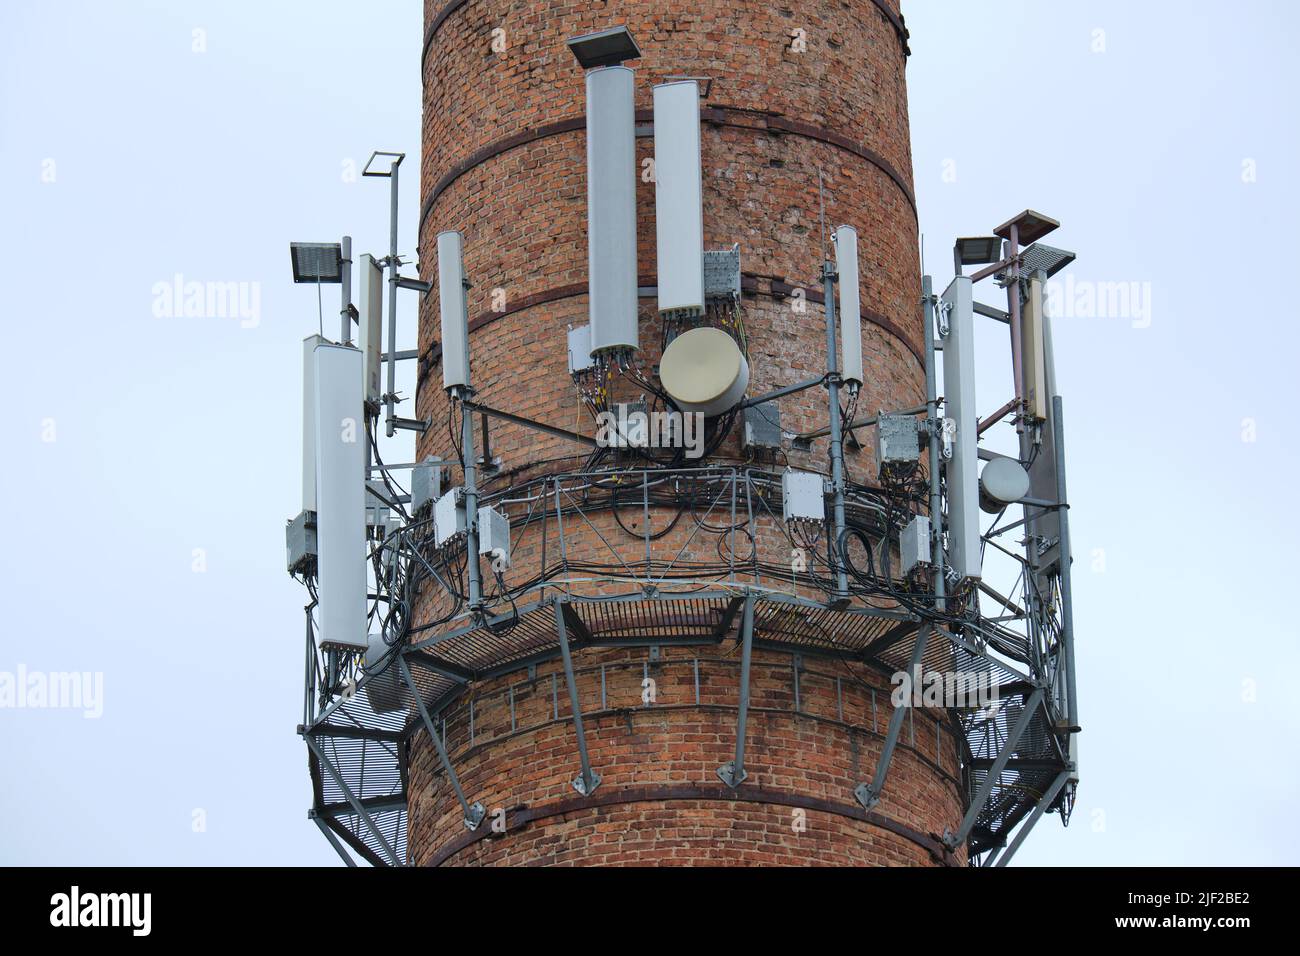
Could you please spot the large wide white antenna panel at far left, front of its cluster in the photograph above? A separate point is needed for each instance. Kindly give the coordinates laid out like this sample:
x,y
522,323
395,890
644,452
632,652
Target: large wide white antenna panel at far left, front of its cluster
x,y
341,495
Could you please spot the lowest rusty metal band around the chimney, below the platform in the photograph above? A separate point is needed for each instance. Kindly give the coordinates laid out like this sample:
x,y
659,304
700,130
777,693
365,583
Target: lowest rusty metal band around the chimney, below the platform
x,y
522,817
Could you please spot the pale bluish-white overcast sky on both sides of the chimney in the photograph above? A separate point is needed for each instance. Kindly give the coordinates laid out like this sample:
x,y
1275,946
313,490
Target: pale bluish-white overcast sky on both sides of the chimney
x,y
183,434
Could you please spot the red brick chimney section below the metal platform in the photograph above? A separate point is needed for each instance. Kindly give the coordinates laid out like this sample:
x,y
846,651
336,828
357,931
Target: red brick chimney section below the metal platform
x,y
523,759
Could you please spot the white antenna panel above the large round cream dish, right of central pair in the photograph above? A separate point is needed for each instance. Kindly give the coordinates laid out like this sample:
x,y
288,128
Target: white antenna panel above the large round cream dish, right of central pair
x,y
678,198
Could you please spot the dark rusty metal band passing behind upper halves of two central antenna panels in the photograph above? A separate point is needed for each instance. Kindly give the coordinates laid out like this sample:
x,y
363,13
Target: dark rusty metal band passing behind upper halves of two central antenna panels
x,y
718,116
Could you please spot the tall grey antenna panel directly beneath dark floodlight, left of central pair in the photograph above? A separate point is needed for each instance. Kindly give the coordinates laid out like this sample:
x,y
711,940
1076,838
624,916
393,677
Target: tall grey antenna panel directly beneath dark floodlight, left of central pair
x,y
612,209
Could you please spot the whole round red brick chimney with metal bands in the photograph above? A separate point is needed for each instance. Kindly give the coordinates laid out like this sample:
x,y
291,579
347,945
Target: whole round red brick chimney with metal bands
x,y
804,109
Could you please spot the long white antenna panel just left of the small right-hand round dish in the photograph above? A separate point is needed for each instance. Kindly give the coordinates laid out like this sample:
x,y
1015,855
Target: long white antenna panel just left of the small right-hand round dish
x,y
963,470
